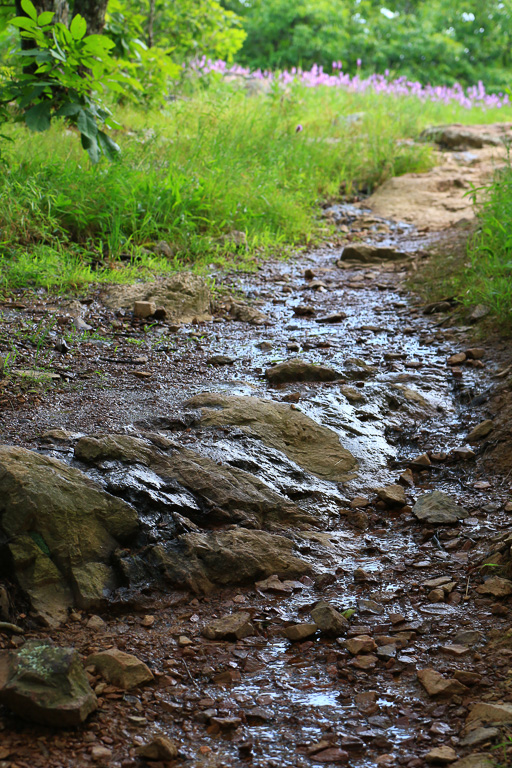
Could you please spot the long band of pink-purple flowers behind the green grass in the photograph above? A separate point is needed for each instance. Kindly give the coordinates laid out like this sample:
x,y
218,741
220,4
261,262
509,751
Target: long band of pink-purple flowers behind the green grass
x,y
475,96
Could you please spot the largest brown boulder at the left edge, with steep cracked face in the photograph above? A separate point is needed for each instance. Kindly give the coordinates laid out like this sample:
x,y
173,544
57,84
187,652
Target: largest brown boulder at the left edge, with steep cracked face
x,y
62,529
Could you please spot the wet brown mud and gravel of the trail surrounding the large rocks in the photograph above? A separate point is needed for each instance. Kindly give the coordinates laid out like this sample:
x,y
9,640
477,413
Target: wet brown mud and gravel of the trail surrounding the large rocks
x,y
402,408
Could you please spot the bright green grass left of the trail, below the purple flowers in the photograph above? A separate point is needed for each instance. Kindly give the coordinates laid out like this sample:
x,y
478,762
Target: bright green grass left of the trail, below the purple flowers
x,y
209,164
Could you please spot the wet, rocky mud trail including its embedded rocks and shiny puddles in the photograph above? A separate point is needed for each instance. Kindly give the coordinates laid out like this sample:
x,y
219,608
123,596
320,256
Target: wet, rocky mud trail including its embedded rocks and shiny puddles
x,y
310,469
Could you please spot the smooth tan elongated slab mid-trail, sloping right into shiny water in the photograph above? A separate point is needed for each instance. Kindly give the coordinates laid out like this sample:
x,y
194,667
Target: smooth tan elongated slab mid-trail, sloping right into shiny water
x,y
279,426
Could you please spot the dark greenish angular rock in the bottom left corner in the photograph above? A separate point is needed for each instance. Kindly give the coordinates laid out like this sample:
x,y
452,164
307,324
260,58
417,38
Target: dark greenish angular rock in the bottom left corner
x,y
46,684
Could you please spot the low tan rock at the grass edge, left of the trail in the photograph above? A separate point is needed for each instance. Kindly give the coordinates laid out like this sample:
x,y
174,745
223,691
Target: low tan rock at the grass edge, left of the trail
x,y
184,296
